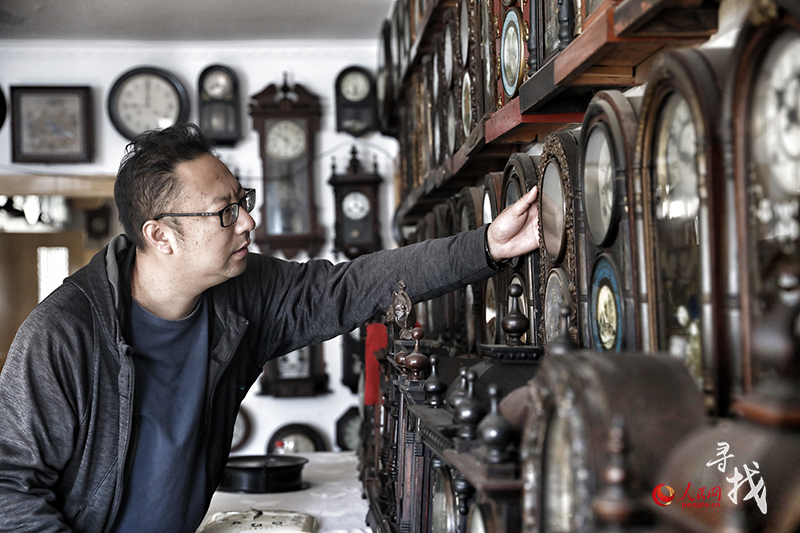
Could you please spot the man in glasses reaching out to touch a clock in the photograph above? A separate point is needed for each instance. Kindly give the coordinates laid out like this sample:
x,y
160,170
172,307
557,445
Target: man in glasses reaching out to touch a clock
x,y
119,394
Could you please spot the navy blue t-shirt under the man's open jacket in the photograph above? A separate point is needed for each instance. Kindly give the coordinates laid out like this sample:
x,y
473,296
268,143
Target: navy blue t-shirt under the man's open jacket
x,y
165,490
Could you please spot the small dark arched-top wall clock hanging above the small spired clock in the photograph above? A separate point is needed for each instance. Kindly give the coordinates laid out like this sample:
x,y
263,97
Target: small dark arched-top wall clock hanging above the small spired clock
x,y
356,102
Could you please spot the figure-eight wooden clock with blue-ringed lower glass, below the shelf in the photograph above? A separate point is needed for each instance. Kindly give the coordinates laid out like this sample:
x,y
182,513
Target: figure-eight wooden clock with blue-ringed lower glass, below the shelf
x,y
608,138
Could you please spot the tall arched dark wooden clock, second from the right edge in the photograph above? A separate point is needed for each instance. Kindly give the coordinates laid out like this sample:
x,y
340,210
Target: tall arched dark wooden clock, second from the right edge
x,y
681,163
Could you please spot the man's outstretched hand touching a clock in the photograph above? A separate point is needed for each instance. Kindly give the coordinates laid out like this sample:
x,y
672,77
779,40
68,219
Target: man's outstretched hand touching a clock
x,y
515,231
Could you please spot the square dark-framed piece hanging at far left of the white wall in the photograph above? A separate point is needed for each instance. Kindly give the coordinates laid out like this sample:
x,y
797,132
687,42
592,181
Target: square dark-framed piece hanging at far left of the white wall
x,y
52,124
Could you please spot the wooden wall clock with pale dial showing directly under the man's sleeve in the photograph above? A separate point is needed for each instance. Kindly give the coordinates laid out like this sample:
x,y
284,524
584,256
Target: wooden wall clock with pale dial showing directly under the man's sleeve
x,y
298,373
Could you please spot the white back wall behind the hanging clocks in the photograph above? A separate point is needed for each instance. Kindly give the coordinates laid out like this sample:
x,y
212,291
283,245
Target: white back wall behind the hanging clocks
x,y
258,64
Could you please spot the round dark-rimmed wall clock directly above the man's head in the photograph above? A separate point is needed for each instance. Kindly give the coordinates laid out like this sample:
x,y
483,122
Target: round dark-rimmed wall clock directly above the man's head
x,y
147,98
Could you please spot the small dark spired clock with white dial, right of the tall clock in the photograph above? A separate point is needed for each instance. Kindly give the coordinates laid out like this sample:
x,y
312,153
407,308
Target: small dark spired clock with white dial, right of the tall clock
x,y
357,213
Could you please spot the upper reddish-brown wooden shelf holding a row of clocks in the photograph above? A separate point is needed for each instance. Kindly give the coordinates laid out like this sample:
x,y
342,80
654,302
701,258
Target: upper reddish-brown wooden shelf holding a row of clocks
x,y
614,47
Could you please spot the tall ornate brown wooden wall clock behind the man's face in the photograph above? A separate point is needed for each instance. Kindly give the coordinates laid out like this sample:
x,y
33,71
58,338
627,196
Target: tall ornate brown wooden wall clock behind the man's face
x,y
287,121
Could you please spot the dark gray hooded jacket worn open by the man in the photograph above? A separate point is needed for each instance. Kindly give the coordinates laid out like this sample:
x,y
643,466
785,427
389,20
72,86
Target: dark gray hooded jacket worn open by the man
x,y
67,422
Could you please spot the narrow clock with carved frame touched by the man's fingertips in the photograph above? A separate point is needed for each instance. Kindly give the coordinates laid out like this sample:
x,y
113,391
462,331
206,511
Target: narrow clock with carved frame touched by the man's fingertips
x,y
558,171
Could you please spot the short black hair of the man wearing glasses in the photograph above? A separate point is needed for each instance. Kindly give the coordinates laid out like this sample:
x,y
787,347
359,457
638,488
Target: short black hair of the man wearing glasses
x,y
147,184
